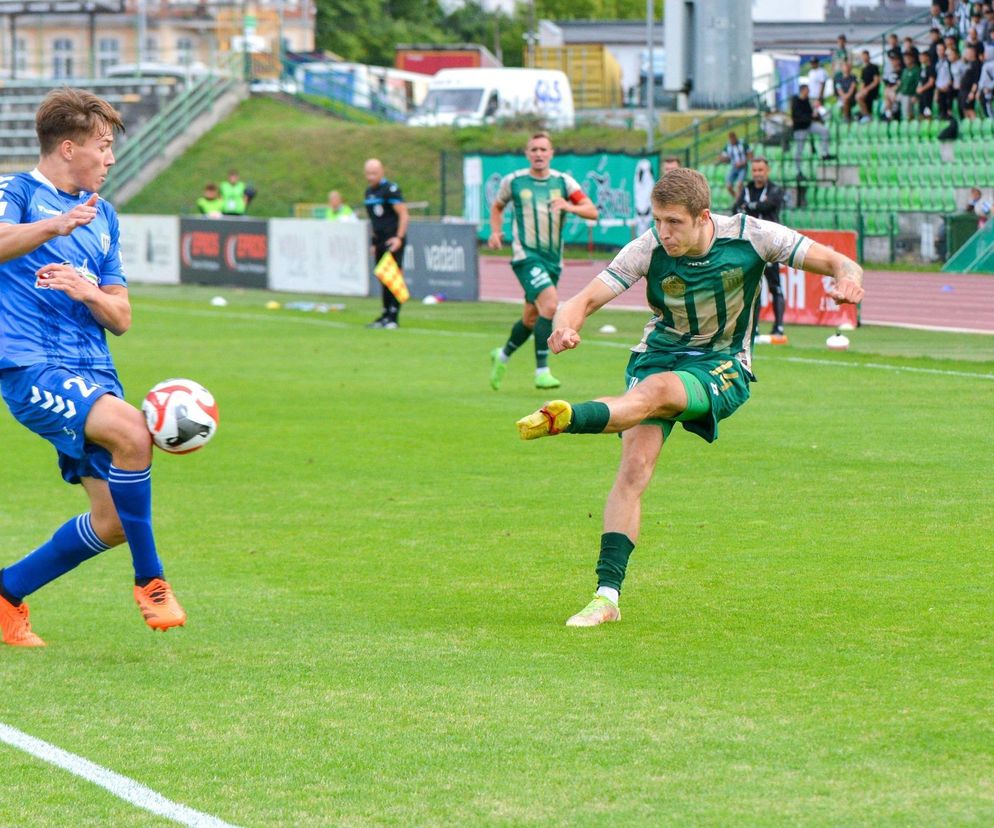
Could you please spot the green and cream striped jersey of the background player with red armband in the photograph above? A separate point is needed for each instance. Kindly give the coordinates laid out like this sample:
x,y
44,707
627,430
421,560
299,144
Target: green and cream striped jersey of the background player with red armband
x,y
537,230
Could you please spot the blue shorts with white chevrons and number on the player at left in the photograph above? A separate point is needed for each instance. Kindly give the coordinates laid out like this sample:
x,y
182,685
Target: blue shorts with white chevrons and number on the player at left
x,y
54,403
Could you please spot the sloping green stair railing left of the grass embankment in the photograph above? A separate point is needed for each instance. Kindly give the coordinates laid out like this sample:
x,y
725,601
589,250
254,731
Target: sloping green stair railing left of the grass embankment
x,y
174,119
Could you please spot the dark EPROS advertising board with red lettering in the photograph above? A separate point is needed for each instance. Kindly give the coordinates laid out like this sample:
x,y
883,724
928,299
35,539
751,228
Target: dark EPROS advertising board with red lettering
x,y
224,252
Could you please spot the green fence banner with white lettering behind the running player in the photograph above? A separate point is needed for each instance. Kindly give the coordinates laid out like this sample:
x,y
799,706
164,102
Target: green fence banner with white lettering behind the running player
x,y
620,184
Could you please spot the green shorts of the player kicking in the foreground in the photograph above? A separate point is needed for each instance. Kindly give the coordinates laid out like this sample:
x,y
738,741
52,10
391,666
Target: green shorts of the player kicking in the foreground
x,y
721,375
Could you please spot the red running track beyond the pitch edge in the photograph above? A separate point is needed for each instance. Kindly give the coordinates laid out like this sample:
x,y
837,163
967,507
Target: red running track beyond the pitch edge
x,y
946,301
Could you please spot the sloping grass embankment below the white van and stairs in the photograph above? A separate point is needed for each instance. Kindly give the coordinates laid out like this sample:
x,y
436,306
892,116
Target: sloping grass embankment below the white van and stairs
x,y
293,156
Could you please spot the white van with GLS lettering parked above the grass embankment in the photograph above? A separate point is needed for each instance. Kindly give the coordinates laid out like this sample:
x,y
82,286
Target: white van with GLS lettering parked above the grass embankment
x,y
471,97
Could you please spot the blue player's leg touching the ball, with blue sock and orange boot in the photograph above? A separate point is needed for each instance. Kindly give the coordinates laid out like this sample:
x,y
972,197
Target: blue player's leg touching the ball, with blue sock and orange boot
x,y
123,504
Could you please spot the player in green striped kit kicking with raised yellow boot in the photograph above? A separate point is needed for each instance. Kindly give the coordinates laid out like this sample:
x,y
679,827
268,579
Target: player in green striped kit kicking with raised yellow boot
x,y
693,366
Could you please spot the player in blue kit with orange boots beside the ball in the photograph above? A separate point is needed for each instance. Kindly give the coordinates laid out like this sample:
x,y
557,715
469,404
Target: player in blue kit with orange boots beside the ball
x,y
61,288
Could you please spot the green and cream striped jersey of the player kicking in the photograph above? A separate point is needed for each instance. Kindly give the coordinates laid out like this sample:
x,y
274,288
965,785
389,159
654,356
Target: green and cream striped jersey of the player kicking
x,y
705,304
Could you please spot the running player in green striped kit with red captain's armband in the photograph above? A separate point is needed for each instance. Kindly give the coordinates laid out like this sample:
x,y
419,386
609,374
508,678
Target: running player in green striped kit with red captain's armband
x,y
540,197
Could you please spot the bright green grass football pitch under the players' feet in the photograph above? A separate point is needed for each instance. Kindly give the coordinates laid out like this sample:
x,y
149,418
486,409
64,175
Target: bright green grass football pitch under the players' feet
x,y
377,572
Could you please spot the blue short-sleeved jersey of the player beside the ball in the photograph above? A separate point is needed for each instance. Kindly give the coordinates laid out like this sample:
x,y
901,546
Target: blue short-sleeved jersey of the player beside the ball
x,y
38,325
